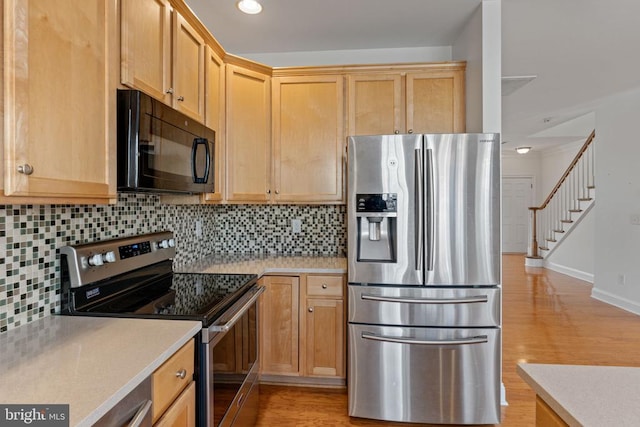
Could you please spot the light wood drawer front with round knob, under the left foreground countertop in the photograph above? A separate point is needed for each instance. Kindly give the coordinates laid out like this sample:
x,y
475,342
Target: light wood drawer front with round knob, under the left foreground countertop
x,y
171,378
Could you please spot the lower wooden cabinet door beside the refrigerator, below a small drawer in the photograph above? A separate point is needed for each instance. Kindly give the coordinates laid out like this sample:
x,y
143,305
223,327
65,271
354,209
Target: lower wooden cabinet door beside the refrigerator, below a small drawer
x,y
325,347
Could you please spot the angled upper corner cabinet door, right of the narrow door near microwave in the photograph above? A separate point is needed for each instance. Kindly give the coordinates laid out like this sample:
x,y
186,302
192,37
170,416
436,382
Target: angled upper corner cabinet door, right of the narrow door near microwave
x,y
248,135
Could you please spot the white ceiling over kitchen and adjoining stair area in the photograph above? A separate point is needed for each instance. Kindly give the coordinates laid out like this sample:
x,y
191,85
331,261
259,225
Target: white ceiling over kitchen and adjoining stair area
x,y
580,51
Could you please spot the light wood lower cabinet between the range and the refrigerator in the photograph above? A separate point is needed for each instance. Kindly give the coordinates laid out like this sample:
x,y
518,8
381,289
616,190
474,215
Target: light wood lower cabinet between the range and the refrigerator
x,y
303,329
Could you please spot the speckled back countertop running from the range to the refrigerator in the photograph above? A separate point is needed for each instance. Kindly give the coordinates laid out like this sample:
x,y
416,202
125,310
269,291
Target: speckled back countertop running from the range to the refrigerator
x,y
266,264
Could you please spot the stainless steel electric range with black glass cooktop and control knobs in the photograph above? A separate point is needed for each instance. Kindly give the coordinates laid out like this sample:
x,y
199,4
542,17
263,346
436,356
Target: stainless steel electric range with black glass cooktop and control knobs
x,y
133,277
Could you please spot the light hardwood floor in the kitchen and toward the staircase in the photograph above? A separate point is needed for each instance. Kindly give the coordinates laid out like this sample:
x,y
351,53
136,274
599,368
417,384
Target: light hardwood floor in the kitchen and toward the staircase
x,y
547,318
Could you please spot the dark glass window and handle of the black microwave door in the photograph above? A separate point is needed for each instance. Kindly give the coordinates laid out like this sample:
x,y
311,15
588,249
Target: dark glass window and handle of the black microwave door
x,y
172,157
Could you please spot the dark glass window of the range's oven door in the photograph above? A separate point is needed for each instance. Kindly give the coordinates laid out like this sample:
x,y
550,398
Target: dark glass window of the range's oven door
x,y
233,358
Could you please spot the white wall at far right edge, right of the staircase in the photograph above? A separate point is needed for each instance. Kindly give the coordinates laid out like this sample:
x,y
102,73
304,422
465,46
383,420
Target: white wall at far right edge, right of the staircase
x,y
617,241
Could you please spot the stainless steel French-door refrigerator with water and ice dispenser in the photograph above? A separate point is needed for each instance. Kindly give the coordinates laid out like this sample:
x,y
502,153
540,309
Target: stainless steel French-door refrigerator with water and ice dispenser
x,y
423,220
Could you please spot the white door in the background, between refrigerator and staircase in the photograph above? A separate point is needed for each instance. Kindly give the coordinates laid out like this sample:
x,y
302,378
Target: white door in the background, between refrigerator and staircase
x,y
517,197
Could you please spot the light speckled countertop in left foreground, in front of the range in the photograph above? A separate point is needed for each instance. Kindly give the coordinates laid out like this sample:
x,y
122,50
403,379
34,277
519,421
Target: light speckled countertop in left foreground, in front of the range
x,y
90,363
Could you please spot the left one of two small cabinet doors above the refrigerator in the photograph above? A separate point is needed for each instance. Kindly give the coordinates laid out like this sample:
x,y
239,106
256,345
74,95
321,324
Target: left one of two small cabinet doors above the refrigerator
x,y
375,104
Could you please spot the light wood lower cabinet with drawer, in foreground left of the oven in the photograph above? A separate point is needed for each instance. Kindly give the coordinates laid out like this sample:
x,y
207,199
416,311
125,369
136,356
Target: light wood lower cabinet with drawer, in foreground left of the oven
x,y
173,389
